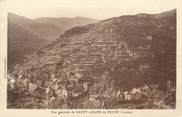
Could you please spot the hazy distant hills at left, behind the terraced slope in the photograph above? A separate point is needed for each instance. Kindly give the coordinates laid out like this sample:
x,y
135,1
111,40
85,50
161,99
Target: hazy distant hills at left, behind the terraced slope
x,y
36,32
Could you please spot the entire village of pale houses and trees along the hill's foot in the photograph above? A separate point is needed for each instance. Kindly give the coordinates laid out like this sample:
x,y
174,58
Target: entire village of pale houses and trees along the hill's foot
x,y
73,93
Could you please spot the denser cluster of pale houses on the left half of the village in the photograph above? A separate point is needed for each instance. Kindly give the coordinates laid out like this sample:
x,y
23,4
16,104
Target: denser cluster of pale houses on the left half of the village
x,y
47,91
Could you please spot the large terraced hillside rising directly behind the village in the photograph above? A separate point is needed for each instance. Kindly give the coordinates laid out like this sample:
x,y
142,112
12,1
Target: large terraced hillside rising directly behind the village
x,y
118,53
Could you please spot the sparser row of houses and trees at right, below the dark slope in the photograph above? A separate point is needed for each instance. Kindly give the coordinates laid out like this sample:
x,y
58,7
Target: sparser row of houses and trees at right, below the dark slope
x,y
149,94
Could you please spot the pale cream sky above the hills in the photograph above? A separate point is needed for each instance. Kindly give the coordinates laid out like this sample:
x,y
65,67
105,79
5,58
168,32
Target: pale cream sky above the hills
x,y
96,9
